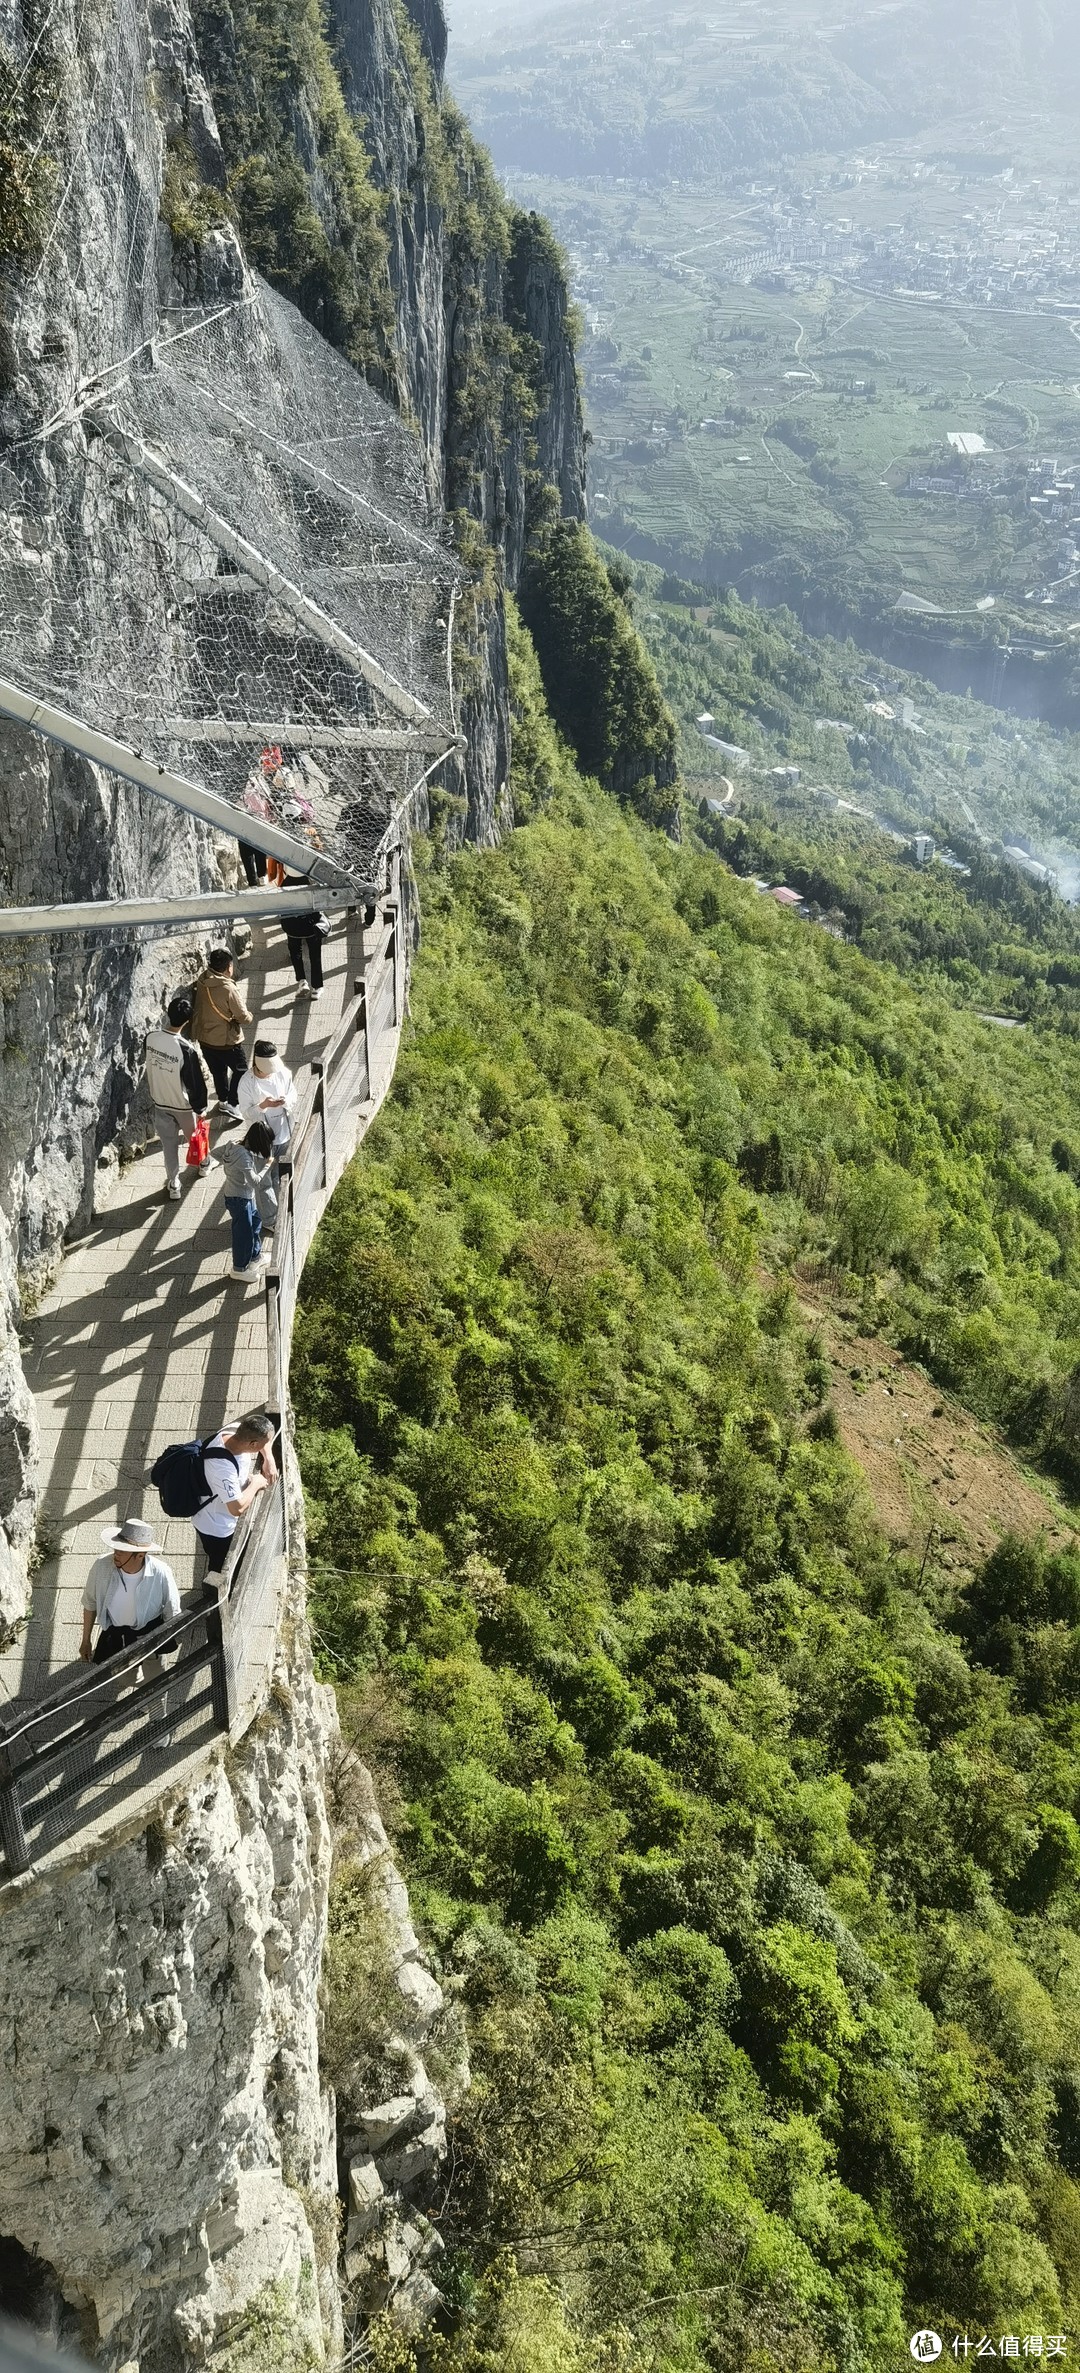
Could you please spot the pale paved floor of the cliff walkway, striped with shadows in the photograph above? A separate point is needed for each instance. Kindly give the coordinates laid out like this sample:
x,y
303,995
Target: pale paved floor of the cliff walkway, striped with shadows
x,y
146,1342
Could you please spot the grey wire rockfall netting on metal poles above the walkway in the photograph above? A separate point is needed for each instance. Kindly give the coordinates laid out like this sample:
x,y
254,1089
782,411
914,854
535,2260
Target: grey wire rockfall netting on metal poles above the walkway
x,y
224,556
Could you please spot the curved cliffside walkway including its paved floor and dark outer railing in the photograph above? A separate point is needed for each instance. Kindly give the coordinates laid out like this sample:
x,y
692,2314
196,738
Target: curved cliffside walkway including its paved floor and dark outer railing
x,y
146,1342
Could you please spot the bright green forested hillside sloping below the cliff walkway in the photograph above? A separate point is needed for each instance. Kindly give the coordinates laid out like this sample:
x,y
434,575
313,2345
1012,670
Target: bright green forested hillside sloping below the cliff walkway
x,y
747,1840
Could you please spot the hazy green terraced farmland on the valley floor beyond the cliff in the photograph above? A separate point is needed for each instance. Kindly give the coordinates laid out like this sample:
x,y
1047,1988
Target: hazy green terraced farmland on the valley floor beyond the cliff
x,y
827,405
